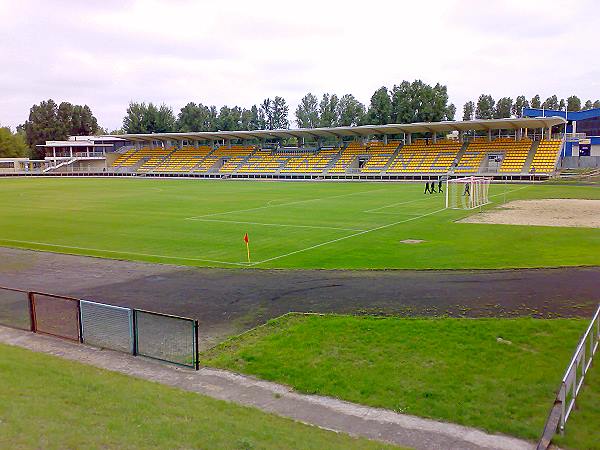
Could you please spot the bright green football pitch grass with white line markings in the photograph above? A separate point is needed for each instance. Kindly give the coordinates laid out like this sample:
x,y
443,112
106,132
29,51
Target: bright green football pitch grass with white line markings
x,y
293,224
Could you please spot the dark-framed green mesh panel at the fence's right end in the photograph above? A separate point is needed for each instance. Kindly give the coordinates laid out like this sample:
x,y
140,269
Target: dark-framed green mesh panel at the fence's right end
x,y
167,338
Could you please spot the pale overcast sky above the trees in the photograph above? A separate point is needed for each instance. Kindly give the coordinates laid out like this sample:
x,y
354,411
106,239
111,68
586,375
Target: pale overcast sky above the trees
x,y
110,52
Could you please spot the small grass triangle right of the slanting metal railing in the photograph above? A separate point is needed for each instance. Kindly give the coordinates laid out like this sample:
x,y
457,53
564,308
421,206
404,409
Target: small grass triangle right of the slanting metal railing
x,y
583,427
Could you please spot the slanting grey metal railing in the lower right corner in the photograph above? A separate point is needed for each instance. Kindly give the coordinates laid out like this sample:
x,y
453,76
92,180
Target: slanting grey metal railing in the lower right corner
x,y
572,382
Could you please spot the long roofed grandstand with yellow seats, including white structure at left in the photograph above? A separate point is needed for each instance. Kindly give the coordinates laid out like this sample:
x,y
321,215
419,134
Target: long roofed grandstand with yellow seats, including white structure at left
x,y
516,148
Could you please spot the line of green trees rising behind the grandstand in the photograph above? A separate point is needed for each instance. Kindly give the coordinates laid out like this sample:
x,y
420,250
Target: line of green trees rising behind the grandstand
x,y
407,102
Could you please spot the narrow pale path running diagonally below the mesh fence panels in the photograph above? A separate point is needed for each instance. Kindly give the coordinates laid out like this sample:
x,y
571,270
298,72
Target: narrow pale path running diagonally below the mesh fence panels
x,y
324,412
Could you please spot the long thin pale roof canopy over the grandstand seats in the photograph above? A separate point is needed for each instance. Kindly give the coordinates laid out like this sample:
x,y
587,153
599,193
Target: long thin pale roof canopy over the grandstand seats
x,y
364,130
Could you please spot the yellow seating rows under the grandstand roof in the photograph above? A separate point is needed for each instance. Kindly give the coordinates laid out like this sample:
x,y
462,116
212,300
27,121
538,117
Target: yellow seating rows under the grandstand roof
x,y
422,156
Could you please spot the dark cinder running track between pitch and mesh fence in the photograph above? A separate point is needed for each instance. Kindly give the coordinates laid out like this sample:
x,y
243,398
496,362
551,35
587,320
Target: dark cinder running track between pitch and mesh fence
x,y
229,301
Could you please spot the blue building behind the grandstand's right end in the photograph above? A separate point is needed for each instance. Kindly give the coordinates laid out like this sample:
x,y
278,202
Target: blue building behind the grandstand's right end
x,y
583,138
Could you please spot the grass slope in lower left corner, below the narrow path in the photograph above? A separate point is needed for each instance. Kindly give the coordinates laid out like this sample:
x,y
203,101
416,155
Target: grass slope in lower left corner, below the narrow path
x,y
49,403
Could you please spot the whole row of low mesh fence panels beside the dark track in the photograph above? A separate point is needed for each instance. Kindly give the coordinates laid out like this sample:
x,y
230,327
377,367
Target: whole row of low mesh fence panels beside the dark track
x,y
154,335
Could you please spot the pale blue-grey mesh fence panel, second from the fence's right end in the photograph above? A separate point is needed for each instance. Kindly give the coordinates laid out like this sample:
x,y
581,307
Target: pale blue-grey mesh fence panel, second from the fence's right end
x,y
106,326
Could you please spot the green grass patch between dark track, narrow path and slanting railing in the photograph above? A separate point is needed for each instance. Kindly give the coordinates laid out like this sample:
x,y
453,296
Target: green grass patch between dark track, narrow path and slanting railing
x,y
496,374
